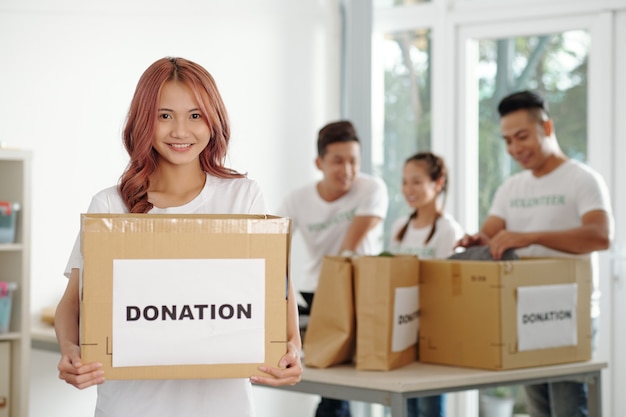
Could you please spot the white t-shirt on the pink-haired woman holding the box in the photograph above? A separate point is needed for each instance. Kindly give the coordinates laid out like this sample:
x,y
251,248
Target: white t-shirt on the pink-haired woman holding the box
x,y
190,397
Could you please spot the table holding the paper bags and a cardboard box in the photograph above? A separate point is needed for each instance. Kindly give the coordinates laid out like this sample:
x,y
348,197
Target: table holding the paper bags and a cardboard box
x,y
393,388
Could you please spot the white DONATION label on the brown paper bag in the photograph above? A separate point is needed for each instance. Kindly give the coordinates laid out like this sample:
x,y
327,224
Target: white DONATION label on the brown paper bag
x,y
405,318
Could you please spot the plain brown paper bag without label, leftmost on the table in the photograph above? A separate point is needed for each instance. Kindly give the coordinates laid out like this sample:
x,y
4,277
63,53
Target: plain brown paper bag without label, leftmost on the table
x,y
329,339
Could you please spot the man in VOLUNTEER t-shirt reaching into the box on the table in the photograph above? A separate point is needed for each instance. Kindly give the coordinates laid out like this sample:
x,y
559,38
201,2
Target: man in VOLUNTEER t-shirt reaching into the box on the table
x,y
555,207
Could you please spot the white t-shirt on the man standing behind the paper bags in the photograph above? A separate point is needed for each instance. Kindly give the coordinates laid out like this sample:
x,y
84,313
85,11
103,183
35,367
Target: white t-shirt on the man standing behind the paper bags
x,y
323,225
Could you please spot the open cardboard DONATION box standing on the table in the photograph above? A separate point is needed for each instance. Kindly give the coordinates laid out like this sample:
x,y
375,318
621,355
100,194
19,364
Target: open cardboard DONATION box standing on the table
x,y
489,315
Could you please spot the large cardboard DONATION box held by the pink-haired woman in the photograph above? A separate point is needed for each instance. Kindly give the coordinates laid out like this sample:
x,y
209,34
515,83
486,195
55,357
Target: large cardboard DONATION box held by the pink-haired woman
x,y
164,296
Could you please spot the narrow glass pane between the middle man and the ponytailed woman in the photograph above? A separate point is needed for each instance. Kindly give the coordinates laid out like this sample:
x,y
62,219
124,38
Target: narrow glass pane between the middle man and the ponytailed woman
x,y
402,113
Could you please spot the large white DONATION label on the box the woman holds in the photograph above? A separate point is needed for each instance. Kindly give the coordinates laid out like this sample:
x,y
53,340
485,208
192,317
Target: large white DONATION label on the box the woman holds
x,y
188,311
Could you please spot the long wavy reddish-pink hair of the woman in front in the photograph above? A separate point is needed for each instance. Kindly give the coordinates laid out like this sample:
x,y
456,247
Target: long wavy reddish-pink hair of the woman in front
x,y
140,127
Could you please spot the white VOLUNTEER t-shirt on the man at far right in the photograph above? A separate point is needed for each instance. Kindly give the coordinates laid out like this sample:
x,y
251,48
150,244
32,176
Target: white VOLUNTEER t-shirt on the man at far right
x,y
555,201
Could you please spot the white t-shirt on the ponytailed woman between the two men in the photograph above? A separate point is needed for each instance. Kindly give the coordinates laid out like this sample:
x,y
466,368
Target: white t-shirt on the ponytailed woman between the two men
x,y
441,245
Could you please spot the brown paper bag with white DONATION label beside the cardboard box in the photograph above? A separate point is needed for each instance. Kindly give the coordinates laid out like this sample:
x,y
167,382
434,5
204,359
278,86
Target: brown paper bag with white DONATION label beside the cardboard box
x,y
387,308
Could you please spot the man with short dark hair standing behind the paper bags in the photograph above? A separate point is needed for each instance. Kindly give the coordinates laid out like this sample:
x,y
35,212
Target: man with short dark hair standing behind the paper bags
x,y
342,213
